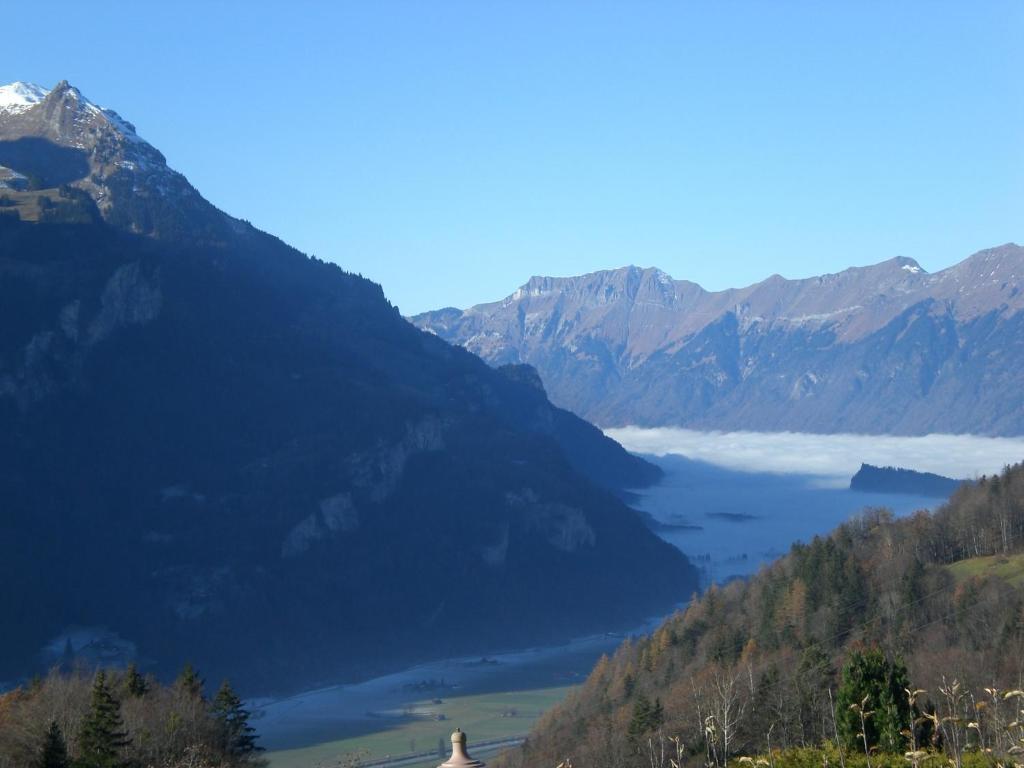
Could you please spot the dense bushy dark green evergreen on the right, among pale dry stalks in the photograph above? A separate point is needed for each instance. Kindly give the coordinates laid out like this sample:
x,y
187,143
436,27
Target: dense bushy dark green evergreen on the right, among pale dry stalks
x,y
873,685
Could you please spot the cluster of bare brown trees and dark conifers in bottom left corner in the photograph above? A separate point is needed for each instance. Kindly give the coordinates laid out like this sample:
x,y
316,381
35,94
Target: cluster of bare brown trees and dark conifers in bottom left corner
x,y
122,719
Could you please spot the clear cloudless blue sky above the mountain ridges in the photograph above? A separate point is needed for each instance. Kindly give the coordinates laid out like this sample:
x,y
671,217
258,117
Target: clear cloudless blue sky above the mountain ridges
x,y
452,150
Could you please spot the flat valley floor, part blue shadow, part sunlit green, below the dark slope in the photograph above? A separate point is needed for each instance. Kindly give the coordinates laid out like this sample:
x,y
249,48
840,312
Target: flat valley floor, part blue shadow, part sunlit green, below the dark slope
x,y
401,707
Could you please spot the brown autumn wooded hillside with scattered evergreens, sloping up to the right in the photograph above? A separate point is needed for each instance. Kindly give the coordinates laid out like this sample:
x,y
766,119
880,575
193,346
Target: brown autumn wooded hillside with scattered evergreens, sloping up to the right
x,y
888,643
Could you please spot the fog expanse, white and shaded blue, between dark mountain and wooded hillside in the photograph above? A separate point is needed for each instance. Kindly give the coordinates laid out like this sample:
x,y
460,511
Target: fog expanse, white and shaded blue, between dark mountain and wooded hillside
x,y
736,501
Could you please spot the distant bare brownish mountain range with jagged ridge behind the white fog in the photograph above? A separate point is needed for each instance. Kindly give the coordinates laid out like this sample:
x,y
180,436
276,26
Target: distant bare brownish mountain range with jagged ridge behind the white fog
x,y
883,349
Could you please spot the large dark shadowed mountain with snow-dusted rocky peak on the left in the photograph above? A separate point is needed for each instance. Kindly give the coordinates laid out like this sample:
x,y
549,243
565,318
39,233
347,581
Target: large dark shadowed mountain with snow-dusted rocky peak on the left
x,y
217,449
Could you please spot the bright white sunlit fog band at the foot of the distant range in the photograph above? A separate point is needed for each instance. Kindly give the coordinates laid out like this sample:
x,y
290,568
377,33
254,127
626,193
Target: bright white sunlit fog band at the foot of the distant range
x,y
834,458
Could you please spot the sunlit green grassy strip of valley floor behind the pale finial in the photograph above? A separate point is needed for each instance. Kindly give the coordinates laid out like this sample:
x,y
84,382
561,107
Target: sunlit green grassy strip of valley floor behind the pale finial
x,y
485,717
